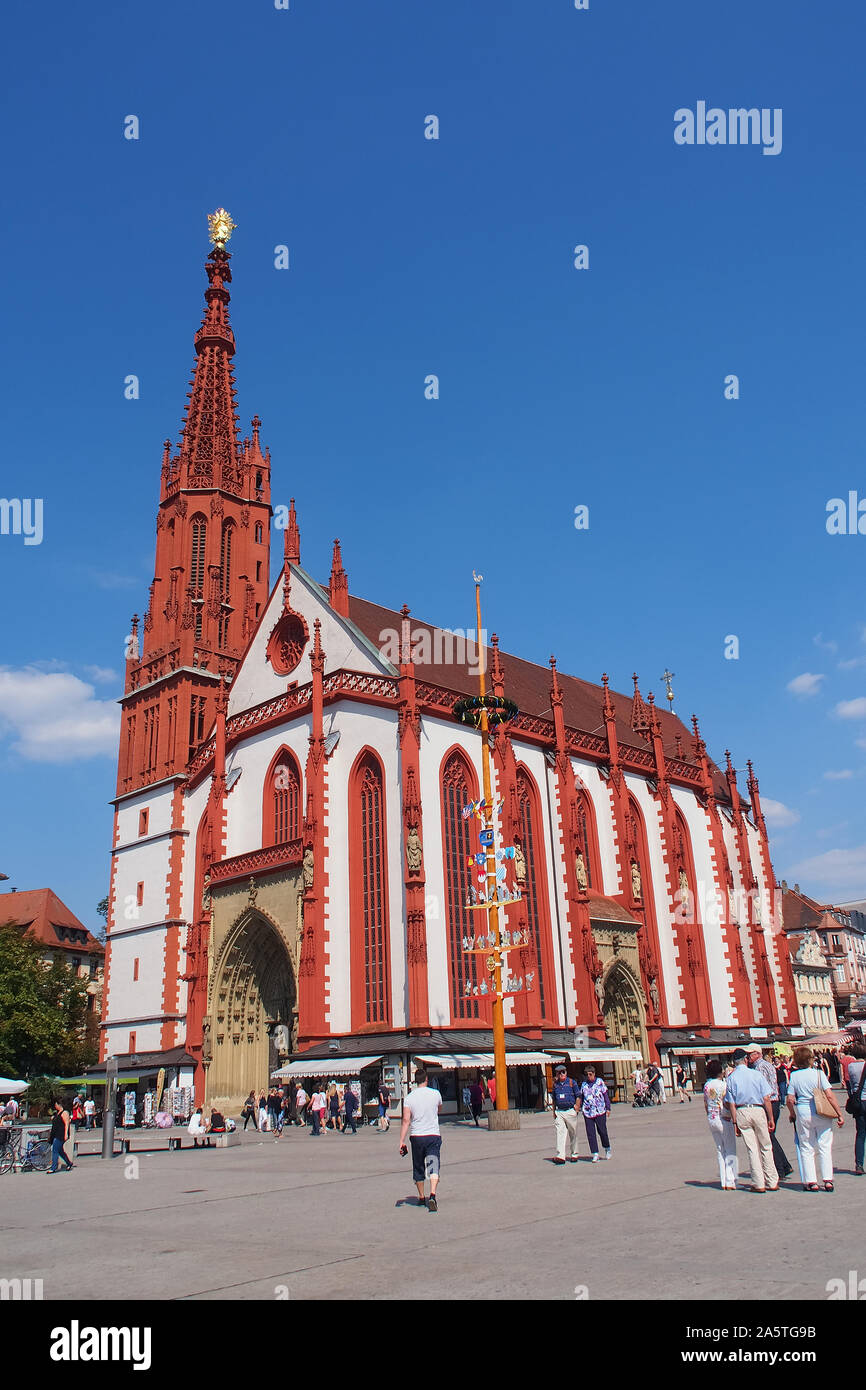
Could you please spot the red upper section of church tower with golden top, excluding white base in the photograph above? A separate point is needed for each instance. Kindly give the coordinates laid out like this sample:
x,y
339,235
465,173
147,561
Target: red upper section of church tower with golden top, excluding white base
x,y
212,558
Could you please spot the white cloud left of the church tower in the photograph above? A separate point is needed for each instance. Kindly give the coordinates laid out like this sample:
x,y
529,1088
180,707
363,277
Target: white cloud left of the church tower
x,y
55,718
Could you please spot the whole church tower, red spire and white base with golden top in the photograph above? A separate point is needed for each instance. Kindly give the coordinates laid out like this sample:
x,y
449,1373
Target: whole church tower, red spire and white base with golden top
x,y
211,587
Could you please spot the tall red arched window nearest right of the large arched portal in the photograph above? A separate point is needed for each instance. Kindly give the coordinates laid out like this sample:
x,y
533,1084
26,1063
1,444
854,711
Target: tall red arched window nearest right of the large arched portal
x,y
369,871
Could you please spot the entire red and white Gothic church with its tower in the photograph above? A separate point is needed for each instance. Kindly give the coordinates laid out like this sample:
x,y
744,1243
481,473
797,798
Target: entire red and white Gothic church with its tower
x,y
291,861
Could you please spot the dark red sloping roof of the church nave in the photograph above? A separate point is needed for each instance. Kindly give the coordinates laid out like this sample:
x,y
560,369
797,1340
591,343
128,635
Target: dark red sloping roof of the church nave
x,y
529,686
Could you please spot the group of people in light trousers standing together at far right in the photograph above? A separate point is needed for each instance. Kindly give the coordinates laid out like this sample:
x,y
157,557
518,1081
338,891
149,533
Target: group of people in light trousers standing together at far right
x,y
747,1104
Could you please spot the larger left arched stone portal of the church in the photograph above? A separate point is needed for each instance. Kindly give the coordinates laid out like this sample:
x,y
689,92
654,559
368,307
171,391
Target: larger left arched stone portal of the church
x,y
254,995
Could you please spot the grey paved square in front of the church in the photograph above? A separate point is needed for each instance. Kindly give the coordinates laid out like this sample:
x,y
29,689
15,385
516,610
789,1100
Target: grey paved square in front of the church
x,y
340,1220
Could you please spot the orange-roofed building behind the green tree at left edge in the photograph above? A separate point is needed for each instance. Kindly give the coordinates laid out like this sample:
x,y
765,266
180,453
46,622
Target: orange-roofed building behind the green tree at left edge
x,y
44,918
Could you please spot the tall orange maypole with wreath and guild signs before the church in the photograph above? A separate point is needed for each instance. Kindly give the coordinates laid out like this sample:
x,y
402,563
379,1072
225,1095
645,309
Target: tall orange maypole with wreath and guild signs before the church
x,y
491,893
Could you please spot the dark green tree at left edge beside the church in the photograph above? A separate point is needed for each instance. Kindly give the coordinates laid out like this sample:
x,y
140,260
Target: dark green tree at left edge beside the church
x,y
44,1011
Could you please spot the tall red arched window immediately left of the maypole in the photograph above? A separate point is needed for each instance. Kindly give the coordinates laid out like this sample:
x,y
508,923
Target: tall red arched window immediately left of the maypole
x,y
459,789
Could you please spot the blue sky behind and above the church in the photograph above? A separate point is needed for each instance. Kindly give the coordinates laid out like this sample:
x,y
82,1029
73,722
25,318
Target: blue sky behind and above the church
x,y
454,256
